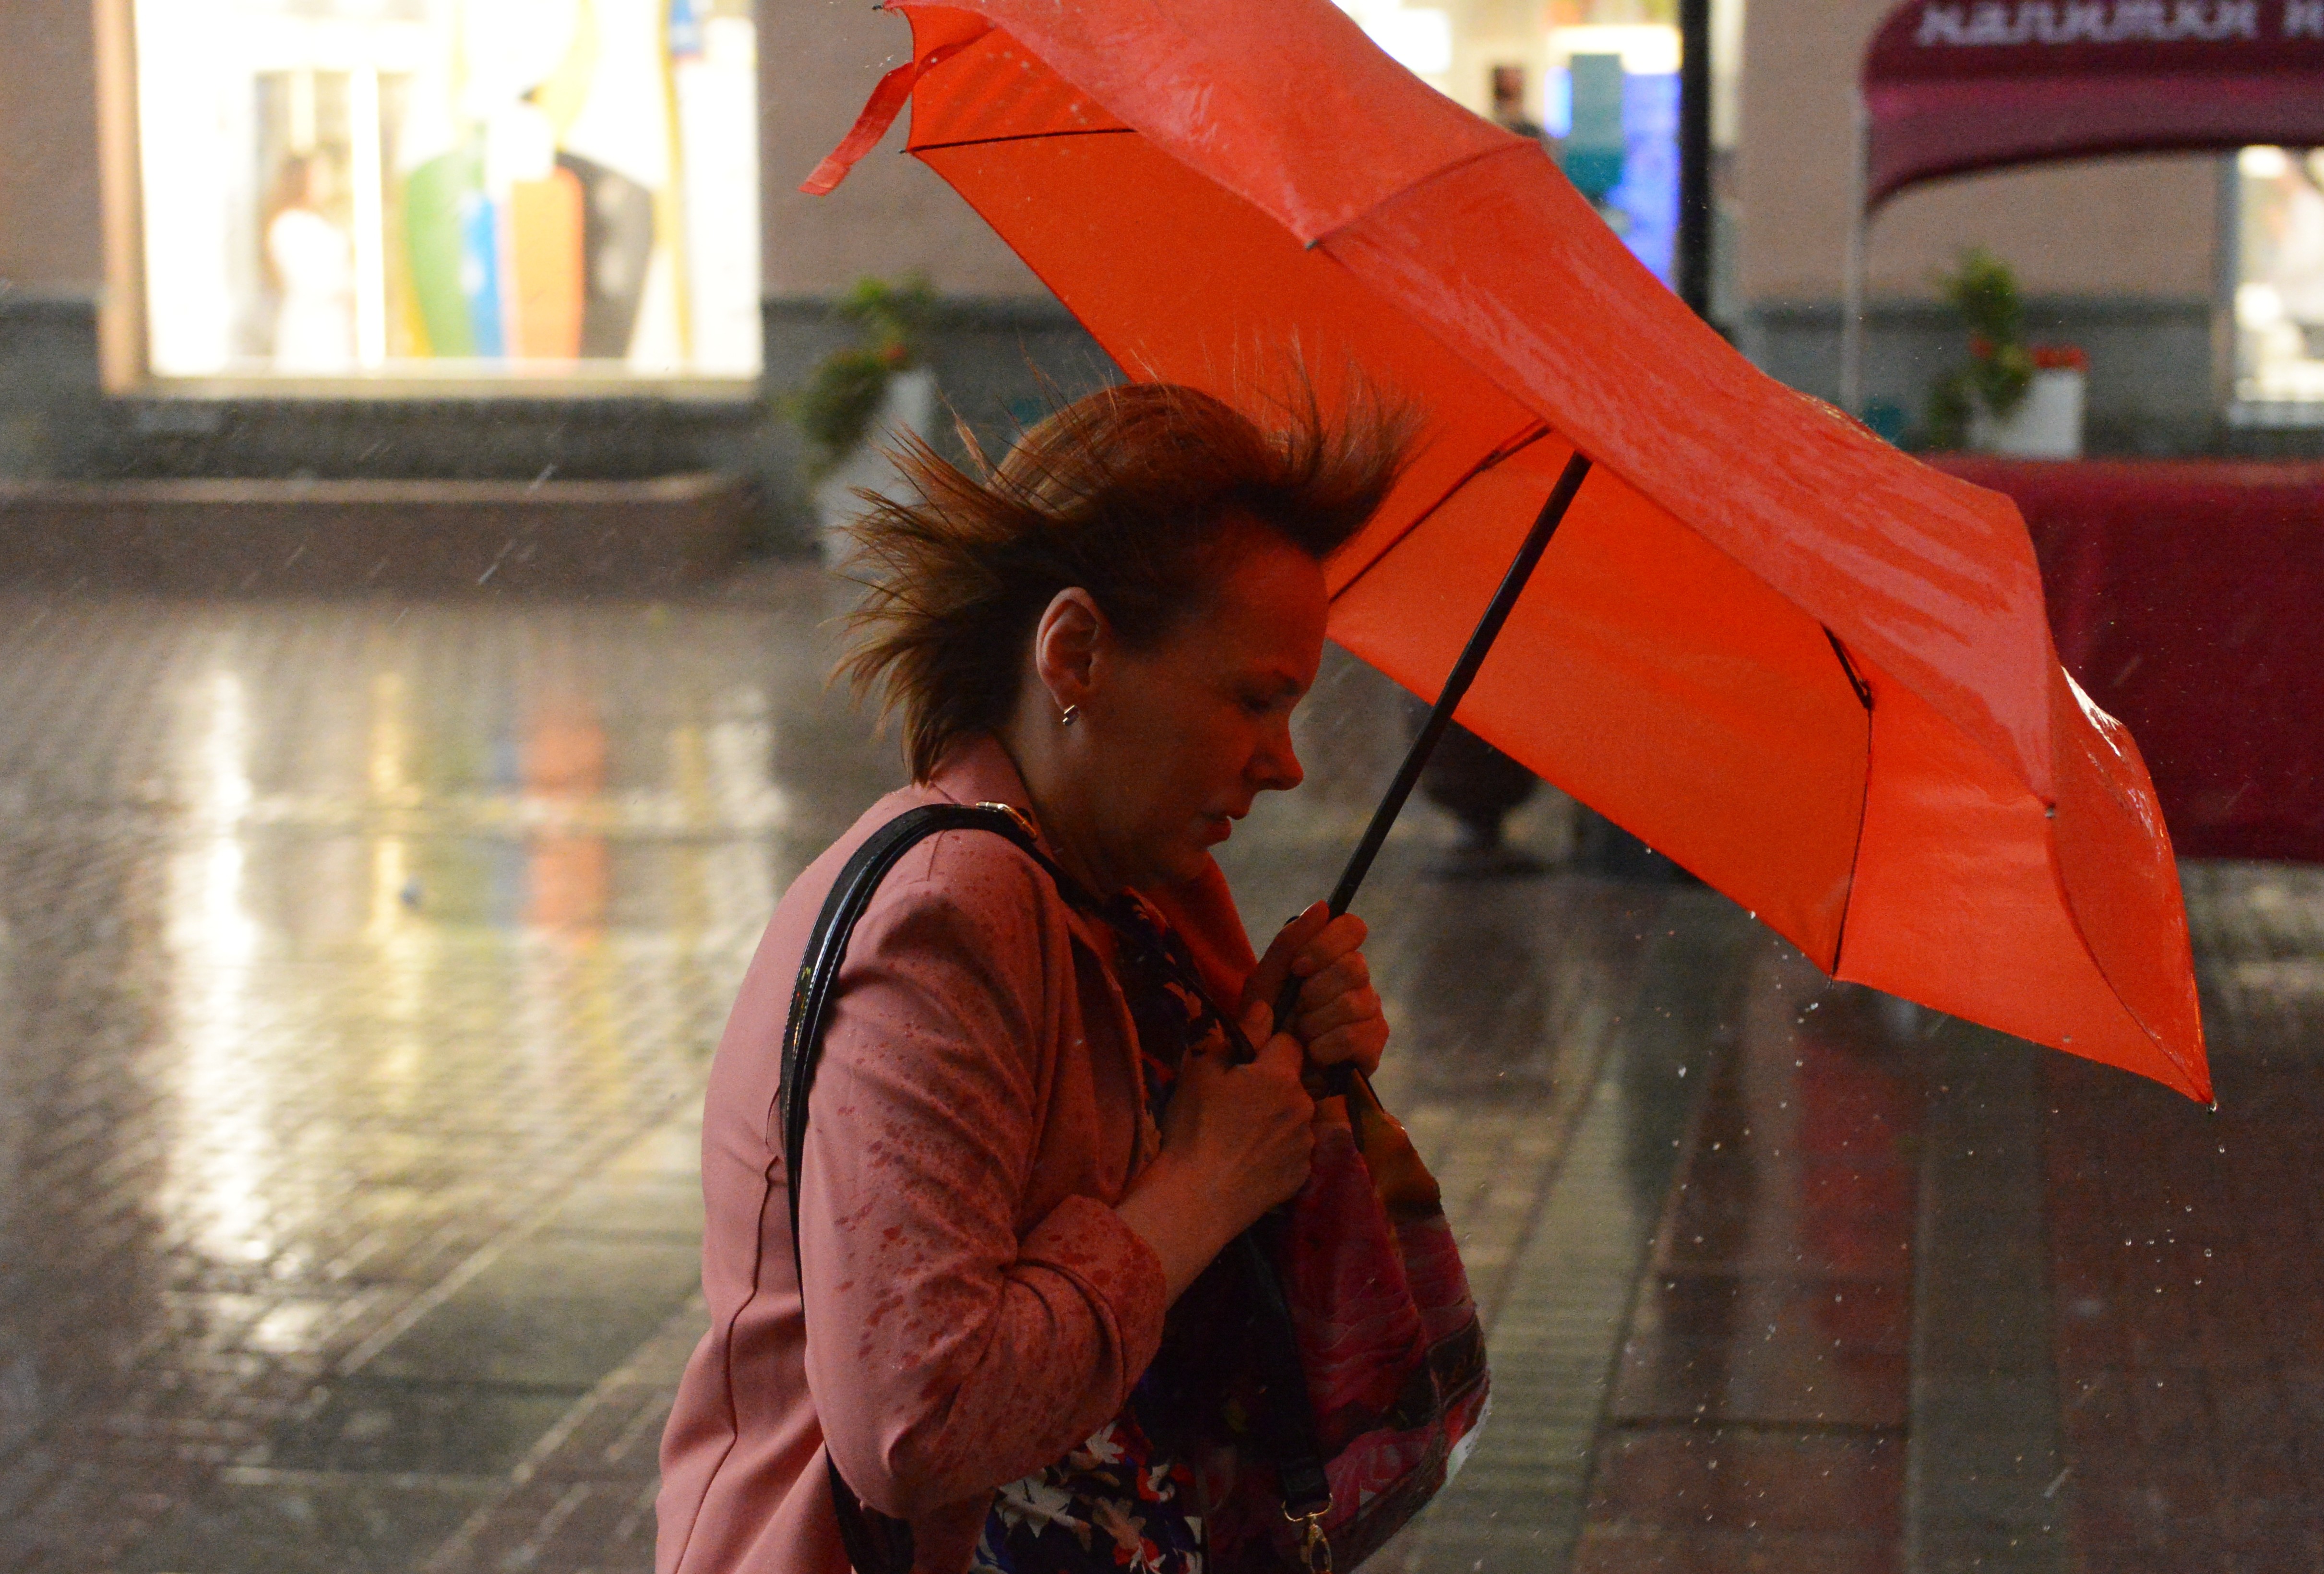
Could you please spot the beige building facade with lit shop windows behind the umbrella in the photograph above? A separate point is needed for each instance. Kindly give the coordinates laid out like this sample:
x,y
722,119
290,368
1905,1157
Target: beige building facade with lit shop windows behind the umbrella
x,y
322,238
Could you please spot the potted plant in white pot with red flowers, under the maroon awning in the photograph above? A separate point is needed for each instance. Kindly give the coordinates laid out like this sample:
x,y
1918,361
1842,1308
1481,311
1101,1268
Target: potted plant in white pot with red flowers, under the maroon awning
x,y
2011,399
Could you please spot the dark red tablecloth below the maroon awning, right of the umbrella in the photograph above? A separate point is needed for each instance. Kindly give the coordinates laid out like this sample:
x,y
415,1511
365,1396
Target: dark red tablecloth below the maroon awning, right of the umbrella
x,y
2188,599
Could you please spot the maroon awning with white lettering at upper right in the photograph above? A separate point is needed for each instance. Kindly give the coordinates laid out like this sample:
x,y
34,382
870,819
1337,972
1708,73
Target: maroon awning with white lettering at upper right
x,y
1979,85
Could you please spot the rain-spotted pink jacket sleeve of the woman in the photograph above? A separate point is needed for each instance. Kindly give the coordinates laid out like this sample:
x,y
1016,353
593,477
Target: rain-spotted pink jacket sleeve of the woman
x,y
945,1352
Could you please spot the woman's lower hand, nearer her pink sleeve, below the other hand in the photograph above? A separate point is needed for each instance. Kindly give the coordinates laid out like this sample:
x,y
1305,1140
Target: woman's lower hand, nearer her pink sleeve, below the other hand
x,y
1235,1143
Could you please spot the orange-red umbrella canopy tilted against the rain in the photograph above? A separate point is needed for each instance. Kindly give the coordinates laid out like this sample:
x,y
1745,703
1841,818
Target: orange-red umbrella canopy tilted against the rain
x,y
1805,666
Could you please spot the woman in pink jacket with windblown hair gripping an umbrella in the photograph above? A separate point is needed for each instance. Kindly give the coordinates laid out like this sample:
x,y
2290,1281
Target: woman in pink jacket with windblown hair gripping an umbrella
x,y
1107,634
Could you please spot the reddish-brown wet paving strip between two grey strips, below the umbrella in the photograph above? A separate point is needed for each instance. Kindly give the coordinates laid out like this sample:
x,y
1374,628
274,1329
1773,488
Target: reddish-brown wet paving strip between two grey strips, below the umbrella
x,y
1758,1419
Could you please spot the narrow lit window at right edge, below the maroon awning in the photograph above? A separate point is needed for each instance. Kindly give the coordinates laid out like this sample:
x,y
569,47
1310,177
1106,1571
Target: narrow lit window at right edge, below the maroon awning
x,y
2281,280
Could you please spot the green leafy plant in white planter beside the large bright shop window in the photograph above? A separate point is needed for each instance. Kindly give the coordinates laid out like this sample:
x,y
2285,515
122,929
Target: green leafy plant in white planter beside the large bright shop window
x,y
863,396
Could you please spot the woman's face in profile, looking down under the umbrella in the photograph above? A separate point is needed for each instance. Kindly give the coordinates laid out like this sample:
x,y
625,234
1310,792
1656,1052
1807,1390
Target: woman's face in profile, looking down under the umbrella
x,y
1182,738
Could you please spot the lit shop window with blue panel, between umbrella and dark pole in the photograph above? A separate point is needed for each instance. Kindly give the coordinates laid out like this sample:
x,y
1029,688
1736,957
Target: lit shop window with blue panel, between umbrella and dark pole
x,y
1598,80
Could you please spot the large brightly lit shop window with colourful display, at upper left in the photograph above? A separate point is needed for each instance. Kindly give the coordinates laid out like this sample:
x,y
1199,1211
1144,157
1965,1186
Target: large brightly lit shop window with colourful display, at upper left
x,y
450,189
